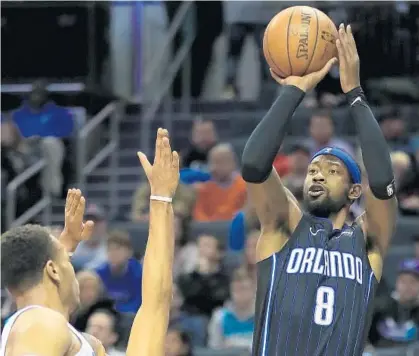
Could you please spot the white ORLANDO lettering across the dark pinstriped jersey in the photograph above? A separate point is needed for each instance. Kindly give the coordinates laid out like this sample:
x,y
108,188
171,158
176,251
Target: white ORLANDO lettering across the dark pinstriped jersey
x,y
328,263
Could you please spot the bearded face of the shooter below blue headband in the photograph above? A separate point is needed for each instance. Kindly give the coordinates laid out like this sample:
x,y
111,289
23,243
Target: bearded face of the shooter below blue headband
x,y
327,187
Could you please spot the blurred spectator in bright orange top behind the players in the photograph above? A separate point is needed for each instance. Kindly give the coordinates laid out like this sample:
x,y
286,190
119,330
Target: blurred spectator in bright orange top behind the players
x,y
225,194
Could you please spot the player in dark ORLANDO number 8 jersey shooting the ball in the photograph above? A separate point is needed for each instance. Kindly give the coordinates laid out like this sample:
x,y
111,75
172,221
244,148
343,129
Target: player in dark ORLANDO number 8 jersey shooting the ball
x,y
316,279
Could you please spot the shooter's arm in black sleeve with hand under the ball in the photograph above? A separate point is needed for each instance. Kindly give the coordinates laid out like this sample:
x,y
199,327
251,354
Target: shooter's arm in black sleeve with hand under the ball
x,y
277,209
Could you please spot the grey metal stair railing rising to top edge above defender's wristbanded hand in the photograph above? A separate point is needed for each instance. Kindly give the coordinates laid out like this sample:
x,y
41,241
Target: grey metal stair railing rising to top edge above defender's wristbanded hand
x,y
183,21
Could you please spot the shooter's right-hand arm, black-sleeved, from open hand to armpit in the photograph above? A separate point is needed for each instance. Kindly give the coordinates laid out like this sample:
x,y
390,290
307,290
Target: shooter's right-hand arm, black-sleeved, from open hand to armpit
x,y
380,199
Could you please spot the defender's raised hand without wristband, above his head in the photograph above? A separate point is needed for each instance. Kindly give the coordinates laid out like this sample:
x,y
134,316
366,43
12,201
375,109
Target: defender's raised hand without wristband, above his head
x,y
74,228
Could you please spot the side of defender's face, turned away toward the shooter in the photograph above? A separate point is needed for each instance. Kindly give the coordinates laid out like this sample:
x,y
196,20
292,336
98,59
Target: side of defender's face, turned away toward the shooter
x,y
68,286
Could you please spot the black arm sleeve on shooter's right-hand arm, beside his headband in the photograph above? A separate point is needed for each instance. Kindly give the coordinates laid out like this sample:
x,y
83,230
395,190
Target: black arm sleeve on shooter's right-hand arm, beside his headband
x,y
374,147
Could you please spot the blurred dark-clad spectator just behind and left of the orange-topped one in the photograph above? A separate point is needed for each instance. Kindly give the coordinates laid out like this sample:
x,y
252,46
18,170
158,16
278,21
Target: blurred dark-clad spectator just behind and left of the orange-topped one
x,y
204,137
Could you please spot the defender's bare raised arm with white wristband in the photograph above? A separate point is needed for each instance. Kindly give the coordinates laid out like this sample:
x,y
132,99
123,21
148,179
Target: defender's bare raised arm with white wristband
x,y
148,333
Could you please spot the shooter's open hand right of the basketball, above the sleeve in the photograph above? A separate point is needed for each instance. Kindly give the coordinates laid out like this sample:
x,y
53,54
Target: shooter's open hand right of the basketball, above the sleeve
x,y
348,59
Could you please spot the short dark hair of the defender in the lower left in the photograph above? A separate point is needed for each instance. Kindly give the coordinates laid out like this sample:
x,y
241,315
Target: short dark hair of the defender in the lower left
x,y
25,250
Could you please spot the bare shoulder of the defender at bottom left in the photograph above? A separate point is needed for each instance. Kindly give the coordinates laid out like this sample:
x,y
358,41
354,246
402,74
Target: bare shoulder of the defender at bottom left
x,y
39,332
